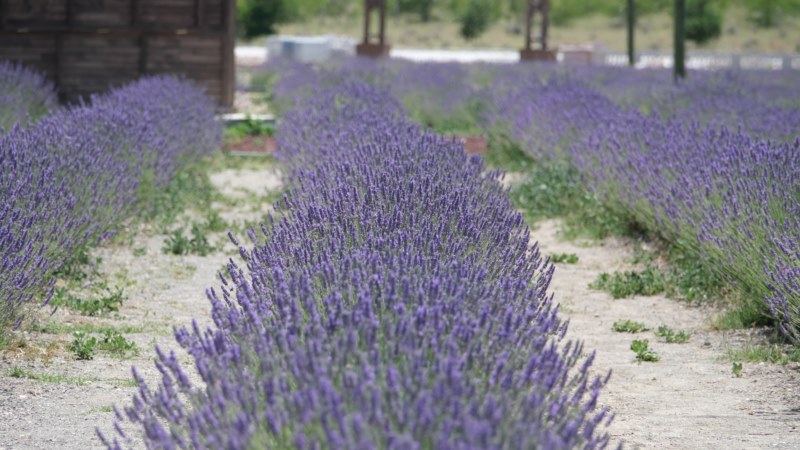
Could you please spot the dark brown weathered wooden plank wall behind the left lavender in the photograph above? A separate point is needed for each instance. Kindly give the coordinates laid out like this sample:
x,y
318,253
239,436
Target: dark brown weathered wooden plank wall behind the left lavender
x,y
88,46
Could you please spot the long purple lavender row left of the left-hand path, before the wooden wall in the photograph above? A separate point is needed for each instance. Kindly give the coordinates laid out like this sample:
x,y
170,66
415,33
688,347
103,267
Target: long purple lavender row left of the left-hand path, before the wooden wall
x,y
73,177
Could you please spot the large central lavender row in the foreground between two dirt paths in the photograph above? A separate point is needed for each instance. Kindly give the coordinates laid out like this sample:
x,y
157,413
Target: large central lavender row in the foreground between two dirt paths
x,y
393,301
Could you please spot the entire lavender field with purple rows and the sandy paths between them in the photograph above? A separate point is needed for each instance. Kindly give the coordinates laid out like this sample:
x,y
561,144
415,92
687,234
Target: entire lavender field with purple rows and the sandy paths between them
x,y
373,286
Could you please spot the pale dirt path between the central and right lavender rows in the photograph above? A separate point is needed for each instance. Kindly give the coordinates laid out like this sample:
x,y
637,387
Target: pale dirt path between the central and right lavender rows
x,y
690,398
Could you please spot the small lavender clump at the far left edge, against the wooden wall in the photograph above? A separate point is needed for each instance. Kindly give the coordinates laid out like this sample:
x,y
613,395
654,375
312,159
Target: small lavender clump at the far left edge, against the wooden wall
x,y
25,95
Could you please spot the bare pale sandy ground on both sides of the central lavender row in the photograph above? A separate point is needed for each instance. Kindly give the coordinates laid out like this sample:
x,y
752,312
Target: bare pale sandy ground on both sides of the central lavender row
x,y
689,399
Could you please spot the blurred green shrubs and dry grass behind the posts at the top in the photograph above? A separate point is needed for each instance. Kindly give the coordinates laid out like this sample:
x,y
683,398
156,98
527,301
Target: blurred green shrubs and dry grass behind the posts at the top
x,y
751,26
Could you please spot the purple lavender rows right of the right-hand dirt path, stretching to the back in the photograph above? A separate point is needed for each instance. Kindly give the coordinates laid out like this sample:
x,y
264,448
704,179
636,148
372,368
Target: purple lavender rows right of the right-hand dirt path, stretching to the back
x,y
711,164
